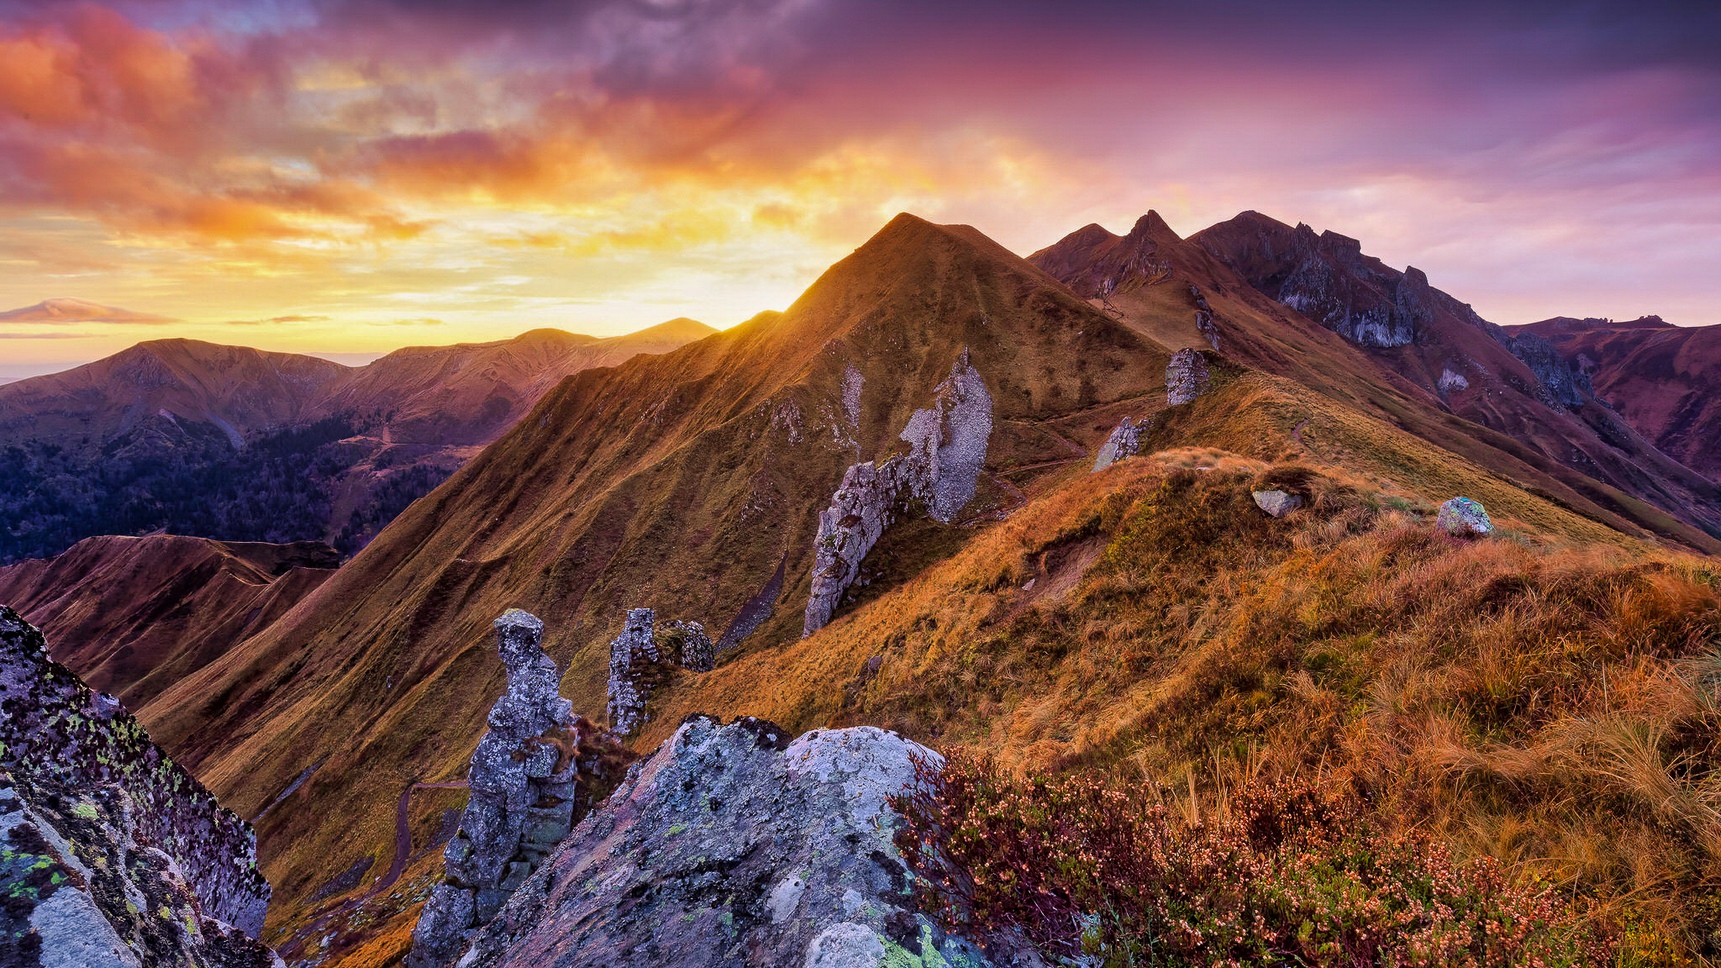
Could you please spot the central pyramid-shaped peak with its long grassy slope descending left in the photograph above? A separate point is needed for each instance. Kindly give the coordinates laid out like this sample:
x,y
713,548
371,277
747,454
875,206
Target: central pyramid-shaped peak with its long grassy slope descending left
x,y
693,481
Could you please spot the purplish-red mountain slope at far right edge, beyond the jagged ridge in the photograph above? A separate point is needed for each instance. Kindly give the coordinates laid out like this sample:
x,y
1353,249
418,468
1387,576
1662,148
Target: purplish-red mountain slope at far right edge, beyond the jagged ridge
x,y
1665,380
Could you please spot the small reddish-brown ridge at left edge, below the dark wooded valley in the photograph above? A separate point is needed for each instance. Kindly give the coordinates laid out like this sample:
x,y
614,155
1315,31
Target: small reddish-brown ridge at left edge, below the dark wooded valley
x,y
139,614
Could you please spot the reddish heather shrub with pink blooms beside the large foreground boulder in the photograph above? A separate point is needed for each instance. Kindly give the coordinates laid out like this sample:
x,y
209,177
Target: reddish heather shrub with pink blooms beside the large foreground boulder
x,y
1288,872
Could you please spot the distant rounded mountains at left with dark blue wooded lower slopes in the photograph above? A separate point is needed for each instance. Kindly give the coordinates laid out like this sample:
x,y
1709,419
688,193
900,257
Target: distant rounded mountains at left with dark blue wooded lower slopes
x,y
249,445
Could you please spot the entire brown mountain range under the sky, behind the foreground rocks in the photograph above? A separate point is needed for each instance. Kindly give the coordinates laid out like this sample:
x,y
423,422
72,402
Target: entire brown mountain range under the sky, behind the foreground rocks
x,y
889,507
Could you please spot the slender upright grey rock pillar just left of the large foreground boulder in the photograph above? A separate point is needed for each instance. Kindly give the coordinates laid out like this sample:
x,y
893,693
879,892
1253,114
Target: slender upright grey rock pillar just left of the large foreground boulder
x,y
524,781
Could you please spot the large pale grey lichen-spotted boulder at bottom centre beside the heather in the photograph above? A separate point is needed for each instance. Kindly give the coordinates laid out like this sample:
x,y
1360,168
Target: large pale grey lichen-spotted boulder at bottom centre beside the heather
x,y
734,847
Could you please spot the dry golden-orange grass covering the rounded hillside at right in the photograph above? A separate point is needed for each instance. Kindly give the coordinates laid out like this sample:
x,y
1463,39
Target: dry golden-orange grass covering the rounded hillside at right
x,y
1538,697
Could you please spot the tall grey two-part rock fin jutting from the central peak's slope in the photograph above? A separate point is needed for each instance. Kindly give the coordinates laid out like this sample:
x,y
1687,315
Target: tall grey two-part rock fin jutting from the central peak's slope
x,y
947,450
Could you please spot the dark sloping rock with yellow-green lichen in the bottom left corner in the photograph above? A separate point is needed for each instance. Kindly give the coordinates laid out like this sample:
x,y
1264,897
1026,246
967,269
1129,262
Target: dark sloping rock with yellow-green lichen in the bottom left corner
x,y
113,855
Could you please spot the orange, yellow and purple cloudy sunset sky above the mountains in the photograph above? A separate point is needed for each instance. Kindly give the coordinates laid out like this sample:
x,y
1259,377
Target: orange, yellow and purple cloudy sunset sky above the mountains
x,y
345,177
